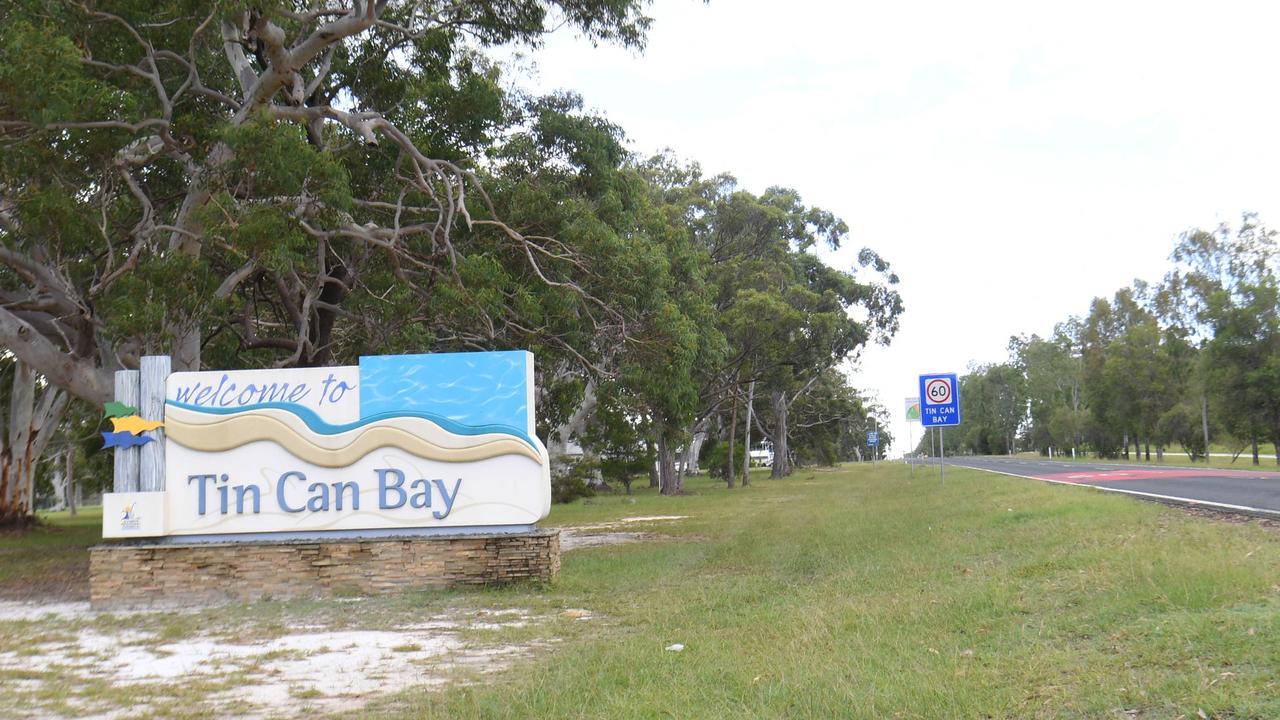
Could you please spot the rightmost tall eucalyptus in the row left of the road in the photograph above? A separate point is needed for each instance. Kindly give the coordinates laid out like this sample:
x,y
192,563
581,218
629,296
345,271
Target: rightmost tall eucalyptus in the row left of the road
x,y
787,315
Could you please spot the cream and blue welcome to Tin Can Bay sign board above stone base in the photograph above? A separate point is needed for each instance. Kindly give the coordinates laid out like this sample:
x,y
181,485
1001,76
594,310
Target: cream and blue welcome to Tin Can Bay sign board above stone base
x,y
395,443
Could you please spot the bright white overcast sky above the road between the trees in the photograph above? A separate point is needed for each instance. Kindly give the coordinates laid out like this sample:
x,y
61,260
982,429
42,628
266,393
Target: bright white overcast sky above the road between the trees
x,y
1013,161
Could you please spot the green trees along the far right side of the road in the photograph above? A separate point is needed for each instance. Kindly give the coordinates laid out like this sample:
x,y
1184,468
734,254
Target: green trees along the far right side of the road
x,y
1160,366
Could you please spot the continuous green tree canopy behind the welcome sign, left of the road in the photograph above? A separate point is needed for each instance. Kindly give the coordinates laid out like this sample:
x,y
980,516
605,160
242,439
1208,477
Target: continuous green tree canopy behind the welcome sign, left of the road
x,y
301,184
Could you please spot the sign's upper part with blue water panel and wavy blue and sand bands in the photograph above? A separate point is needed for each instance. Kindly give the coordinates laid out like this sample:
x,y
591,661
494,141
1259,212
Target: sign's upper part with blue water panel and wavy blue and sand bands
x,y
455,408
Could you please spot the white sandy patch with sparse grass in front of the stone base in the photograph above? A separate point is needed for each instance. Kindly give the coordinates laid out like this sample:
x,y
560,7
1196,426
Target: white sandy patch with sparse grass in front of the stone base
x,y
309,672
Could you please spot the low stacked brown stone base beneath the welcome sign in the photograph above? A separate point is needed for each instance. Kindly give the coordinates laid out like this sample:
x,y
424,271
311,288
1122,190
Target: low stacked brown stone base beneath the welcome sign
x,y
143,576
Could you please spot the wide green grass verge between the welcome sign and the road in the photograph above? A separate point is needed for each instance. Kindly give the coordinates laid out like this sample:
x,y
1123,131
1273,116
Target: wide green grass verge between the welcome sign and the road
x,y
868,594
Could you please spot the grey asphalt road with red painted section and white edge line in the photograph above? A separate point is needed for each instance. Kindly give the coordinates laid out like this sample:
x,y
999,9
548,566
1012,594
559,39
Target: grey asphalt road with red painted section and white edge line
x,y
1236,490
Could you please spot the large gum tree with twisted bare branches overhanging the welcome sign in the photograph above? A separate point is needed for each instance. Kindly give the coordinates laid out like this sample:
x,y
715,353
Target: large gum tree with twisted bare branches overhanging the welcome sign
x,y
287,184
